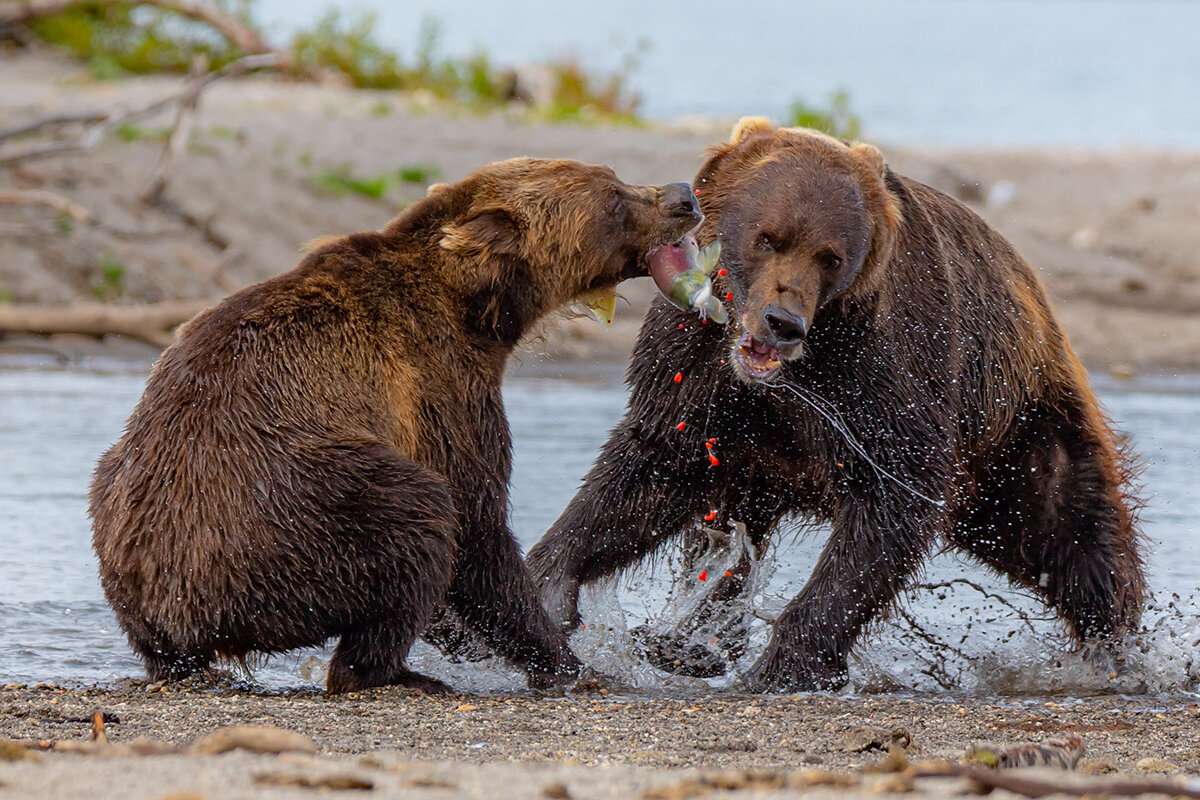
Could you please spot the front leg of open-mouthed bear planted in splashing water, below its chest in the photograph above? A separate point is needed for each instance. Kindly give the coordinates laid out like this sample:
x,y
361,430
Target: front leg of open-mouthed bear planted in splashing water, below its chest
x,y
878,544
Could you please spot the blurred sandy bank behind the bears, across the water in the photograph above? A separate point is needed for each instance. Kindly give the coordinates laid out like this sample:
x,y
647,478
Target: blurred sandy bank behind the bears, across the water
x,y
1115,234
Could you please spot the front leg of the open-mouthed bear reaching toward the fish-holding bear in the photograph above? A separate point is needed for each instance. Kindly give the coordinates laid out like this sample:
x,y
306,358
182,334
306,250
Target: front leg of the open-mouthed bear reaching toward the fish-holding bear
x,y
639,494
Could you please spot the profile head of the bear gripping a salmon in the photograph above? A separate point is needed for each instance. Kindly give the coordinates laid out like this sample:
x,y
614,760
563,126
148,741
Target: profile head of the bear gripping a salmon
x,y
527,236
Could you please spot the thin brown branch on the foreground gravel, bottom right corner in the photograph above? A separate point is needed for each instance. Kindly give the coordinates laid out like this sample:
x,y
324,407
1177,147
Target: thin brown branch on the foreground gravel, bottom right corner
x,y
1039,785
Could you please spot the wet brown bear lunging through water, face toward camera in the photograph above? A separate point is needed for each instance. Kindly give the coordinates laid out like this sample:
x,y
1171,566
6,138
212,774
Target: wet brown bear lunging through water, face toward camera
x,y
892,368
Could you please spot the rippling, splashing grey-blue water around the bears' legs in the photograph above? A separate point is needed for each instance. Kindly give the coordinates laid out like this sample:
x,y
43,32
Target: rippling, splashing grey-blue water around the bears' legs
x,y
56,627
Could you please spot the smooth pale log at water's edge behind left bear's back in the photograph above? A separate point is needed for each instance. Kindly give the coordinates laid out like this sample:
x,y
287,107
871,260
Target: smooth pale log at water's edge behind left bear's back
x,y
153,323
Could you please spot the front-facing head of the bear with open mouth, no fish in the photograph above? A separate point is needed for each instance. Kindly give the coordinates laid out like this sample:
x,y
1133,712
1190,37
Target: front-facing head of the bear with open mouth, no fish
x,y
805,221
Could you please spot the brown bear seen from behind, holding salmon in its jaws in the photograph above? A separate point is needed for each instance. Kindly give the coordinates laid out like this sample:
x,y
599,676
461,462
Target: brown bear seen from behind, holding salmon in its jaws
x,y
327,455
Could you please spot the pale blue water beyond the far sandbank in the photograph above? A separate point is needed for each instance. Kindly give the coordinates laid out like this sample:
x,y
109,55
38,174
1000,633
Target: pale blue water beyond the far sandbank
x,y
961,73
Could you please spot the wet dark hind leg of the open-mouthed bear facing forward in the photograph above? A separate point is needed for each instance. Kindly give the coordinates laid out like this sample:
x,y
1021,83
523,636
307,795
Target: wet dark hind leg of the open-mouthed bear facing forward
x,y
1053,513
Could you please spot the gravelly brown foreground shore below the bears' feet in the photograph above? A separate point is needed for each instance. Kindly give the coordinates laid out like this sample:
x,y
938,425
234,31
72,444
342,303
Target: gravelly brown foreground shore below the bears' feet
x,y
601,747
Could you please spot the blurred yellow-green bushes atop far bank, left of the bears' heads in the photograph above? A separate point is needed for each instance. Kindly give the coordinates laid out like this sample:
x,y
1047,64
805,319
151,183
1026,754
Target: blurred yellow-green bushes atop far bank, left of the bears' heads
x,y
121,40
